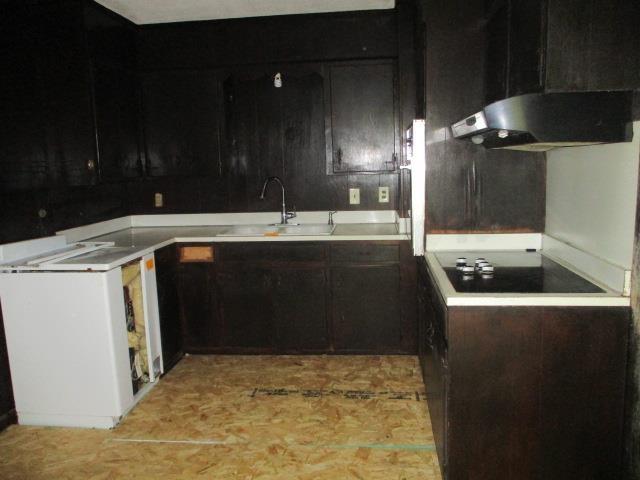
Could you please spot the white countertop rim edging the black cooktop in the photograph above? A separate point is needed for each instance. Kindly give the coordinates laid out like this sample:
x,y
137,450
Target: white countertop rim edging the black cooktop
x,y
454,298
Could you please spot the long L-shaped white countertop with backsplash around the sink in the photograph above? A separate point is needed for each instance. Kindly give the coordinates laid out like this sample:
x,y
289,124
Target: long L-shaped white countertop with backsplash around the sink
x,y
132,237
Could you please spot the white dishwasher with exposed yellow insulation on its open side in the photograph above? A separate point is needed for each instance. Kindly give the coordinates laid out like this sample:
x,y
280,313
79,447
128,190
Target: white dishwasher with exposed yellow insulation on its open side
x,y
82,330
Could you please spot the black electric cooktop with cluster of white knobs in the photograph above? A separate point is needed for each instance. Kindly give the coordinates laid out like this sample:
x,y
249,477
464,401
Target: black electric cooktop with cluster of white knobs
x,y
516,273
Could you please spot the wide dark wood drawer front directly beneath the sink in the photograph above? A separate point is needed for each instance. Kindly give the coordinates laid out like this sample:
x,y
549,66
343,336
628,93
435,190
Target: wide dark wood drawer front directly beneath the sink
x,y
272,252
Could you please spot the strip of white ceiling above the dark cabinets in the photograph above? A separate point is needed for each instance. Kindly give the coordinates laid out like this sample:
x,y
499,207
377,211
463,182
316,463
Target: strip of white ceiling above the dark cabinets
x,y
160,11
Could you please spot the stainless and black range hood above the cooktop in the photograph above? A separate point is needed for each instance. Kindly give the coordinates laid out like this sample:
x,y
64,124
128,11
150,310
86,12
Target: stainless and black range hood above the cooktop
x,y
542,121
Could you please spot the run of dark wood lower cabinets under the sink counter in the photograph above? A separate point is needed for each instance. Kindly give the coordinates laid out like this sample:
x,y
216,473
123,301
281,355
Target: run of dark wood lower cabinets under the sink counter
x,y
299,297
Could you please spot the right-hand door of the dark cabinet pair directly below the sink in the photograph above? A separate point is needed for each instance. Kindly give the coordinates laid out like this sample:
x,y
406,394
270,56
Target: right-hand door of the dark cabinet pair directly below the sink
x,y
300,309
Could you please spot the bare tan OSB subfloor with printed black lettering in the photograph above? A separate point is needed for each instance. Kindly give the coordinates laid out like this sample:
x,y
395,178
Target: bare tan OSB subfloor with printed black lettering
x,y
250,417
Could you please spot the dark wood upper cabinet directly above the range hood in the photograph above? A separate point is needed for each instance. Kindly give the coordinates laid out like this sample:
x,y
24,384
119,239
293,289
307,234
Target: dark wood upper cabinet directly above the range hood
x,y
560,45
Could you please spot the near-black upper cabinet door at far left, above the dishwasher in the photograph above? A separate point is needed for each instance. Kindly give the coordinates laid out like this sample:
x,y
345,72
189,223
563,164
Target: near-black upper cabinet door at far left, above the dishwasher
x,y
47,135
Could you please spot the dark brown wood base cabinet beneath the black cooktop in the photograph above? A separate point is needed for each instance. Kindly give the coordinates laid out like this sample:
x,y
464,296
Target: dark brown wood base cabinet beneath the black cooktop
x,y
523,392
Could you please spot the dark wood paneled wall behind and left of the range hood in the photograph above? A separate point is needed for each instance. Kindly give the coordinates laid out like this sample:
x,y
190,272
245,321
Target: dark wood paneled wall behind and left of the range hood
x,y
470,188
